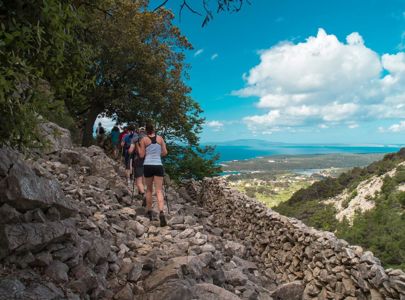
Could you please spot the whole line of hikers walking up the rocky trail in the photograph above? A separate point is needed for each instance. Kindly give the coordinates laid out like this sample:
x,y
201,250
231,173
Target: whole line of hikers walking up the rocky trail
x,y
142,151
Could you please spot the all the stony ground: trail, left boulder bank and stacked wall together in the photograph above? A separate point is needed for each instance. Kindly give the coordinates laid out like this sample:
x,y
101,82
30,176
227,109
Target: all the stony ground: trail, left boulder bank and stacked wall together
x,y
69,229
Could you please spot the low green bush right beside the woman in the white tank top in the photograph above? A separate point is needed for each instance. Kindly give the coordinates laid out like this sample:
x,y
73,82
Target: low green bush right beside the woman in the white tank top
x,y
191,162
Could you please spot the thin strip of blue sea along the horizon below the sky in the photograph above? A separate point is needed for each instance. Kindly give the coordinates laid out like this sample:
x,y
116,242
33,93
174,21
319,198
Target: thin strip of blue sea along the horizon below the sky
x,y
229,153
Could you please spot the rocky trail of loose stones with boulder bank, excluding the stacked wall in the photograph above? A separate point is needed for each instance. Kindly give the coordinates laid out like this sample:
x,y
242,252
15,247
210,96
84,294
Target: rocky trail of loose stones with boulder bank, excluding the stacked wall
x,y
70,230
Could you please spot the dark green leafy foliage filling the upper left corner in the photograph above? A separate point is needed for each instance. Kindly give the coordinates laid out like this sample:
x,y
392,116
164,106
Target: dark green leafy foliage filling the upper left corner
x,y
43,65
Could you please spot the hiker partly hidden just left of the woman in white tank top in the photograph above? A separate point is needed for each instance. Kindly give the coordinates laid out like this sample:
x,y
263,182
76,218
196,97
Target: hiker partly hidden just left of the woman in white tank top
x,y
137,164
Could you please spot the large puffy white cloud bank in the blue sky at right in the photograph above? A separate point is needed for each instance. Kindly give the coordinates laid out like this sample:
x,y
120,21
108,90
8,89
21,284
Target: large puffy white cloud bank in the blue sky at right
x,y
323,82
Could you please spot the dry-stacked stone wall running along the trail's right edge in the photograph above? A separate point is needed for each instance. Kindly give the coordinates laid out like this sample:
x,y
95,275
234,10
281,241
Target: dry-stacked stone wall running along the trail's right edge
x,y
289,250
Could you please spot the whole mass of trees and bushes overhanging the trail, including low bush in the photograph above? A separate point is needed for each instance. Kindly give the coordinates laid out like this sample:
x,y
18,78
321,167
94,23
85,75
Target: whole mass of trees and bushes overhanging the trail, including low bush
x,y
69,61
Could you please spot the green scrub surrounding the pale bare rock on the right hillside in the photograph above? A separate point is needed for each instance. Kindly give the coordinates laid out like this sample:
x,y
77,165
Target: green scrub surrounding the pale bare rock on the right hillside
x,y
381,230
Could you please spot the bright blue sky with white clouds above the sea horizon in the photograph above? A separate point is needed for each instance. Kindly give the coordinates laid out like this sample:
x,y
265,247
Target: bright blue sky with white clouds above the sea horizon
x,y
311,71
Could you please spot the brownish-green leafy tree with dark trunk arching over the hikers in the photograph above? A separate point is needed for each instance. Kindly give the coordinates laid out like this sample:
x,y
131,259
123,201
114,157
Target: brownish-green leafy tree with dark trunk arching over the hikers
x,y
139,70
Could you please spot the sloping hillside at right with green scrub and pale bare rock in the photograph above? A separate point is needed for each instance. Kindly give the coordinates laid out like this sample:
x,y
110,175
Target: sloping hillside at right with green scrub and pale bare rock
x,y
365,206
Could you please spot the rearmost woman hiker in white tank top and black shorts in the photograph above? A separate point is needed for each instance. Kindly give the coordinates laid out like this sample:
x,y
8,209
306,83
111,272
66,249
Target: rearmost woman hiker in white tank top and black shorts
x,y
152,148
